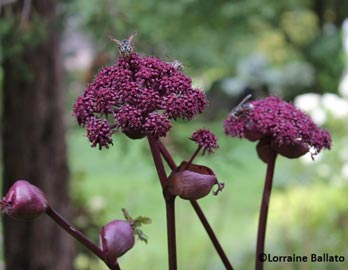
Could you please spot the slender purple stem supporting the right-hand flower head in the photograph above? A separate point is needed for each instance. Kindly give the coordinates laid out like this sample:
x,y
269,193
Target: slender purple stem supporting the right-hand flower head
x,y
261,234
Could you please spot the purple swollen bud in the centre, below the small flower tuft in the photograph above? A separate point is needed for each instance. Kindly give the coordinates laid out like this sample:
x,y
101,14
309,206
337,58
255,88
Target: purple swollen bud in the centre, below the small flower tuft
x,y
192,183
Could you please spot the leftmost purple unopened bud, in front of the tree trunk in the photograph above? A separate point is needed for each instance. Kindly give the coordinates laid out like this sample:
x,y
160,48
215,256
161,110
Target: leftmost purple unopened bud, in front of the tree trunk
x,y
24,201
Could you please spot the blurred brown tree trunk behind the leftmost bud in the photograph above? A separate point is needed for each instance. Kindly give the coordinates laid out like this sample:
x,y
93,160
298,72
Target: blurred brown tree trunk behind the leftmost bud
x,y
34,146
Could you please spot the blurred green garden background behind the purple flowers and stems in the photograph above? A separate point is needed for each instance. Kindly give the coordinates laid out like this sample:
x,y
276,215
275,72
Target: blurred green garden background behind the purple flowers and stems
x,y
285,48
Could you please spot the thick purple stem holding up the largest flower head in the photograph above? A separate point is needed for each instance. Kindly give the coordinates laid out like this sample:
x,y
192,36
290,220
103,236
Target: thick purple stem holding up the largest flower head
x,y
170,203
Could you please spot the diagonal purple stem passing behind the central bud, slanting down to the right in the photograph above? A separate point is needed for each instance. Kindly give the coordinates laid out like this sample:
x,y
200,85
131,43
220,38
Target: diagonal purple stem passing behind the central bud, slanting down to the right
x,y
199,213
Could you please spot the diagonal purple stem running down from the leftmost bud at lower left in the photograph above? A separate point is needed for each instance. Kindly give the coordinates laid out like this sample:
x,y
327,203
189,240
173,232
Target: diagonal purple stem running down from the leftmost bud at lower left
x,y
68,227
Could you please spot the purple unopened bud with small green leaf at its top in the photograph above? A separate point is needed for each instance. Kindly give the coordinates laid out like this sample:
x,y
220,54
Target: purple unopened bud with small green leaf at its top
x,y
115,239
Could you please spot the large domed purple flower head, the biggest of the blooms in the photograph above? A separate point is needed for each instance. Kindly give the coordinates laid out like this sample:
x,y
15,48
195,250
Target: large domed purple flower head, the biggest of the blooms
x,y
137,96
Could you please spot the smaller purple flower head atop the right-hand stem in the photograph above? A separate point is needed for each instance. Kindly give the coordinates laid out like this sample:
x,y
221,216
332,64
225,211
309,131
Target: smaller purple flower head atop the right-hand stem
x,y
281,125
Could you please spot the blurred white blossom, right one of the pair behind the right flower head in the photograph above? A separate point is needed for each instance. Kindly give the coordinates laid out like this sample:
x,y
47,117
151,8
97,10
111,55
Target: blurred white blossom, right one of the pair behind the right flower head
x,y
335,105
